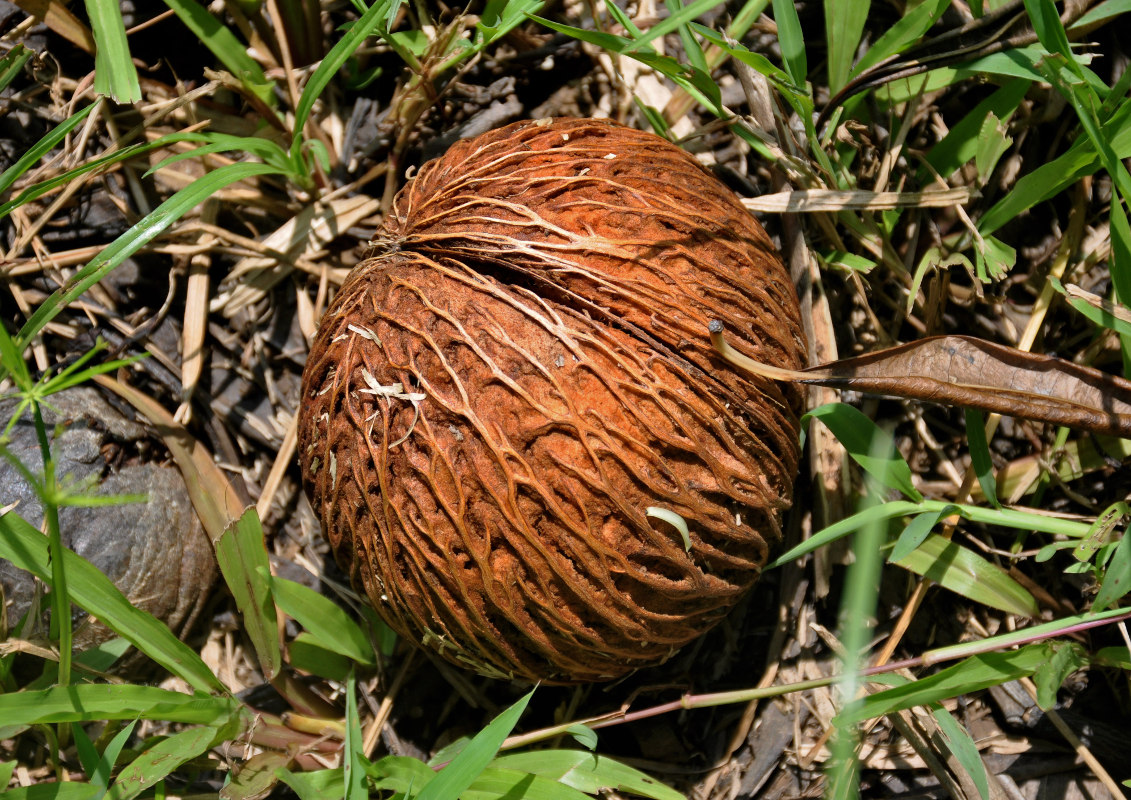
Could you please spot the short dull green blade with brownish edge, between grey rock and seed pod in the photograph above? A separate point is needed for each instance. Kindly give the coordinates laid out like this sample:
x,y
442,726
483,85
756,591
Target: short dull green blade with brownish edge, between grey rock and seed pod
x,y
244,562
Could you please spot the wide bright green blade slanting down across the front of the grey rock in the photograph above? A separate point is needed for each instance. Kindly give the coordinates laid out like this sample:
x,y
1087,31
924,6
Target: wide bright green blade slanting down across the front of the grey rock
x,y
28,549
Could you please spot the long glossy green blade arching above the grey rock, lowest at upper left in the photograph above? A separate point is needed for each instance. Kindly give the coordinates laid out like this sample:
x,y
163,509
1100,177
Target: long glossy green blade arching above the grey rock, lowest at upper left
x,y
141,235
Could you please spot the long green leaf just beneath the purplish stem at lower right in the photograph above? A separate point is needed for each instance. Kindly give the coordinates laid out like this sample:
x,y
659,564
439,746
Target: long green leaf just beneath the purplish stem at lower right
x,y
972,675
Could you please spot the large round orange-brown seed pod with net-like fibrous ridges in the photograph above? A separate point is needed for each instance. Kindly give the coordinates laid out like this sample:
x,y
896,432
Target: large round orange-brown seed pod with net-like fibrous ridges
x,y
484,436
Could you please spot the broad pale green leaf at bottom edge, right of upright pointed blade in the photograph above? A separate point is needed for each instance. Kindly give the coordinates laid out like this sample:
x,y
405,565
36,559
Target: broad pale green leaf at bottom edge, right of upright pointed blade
x,y
588,772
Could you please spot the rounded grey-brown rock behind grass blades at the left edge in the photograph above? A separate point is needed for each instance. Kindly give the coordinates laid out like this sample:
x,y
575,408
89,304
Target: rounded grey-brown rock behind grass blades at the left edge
x,y
157,552
